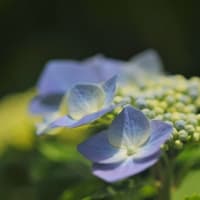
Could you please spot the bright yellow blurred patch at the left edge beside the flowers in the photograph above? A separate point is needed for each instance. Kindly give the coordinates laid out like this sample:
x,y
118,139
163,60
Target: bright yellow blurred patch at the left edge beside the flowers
x,y
16,125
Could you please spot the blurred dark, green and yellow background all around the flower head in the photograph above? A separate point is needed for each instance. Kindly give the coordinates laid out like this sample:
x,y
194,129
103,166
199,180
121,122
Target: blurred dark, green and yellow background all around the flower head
x,y
33,32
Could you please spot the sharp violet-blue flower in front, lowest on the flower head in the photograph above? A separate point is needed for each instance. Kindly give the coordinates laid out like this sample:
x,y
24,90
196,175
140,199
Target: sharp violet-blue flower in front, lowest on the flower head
x,y
130,145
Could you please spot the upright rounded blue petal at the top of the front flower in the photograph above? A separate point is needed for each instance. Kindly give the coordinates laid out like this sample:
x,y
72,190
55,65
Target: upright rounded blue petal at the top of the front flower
x,y
130,129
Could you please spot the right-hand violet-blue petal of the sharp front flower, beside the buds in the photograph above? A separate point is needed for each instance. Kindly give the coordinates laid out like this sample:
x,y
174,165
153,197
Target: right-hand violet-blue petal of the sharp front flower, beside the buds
x,y
160,133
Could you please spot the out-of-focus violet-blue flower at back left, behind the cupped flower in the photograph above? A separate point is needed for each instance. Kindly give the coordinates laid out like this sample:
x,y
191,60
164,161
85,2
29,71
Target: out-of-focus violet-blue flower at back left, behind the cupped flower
x,y
60,75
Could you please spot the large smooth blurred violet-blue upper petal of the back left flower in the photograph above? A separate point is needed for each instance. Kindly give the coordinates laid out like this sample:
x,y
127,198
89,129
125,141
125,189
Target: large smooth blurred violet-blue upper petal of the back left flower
x,y
60,75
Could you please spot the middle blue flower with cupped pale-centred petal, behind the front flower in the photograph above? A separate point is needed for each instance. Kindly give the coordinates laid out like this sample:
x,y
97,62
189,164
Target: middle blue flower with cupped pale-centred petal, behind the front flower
x,y
88,102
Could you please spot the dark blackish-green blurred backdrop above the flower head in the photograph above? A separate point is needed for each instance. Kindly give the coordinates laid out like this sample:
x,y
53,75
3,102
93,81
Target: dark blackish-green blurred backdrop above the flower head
x,y
33,31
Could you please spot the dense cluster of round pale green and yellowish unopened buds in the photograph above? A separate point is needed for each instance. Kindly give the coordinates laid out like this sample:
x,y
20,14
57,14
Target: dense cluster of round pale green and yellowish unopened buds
x,y
173,99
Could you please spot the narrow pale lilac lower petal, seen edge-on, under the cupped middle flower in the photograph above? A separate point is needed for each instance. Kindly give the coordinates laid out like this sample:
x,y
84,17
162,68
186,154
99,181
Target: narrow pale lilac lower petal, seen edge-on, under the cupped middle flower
x,y
68,122
